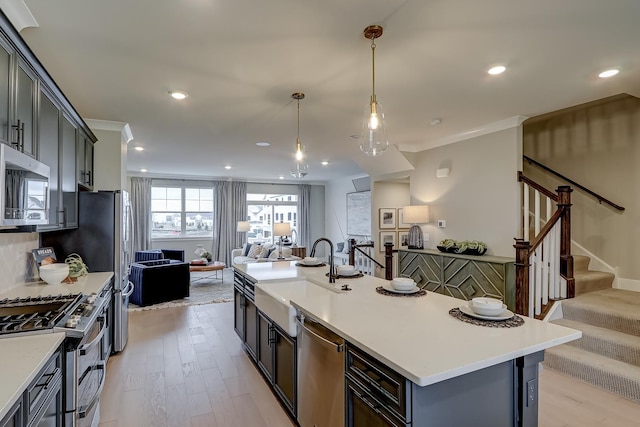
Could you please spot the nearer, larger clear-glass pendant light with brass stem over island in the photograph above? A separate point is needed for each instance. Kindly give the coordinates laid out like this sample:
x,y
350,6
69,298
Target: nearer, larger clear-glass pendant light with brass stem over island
x,y
373,137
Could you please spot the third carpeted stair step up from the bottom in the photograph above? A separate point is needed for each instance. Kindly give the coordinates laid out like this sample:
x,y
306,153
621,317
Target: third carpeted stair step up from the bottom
x,y
614,309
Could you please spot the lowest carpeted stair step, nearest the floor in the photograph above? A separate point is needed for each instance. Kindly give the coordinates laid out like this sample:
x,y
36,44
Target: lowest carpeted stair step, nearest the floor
x,y
612,375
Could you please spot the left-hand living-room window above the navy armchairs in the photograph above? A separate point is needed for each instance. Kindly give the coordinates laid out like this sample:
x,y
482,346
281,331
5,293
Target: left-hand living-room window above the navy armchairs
x,y
179,212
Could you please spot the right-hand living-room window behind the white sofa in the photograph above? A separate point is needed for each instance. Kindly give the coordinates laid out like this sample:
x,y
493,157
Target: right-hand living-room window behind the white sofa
x,y
262,207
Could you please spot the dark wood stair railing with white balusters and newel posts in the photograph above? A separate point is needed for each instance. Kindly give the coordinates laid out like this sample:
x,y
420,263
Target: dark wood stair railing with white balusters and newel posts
x,y
544,267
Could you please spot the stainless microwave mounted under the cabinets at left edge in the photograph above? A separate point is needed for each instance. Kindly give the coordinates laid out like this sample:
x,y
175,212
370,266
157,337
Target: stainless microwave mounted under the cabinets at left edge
x,y
24,182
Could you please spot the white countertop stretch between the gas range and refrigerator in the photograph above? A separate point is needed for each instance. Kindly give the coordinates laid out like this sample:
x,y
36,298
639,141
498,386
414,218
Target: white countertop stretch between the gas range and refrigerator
x,y
91,283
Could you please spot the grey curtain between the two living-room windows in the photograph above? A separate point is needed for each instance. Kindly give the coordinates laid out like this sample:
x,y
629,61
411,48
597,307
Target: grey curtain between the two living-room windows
x,y
230,206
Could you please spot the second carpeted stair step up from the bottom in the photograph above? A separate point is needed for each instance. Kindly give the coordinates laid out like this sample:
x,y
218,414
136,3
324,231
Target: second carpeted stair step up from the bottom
x,y
612,344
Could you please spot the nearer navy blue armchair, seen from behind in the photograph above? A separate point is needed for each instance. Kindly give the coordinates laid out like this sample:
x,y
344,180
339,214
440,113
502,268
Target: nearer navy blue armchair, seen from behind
x,y
157,281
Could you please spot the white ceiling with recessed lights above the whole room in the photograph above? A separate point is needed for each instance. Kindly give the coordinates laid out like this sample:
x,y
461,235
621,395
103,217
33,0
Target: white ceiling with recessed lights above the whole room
x,y
240,61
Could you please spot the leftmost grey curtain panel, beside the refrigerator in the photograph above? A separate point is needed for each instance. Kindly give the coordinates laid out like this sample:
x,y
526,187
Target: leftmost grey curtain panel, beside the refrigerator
x,y
141,213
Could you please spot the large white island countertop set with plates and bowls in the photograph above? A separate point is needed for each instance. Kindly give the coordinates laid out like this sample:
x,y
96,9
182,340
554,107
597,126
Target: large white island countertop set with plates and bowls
x,y
416,336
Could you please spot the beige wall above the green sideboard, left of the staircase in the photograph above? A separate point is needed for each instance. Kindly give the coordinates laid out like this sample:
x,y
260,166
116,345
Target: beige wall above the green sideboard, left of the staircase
x,y
480,199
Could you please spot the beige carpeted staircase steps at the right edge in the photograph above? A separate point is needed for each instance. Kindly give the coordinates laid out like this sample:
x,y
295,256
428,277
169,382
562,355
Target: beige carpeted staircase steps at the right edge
x,y
608,354
